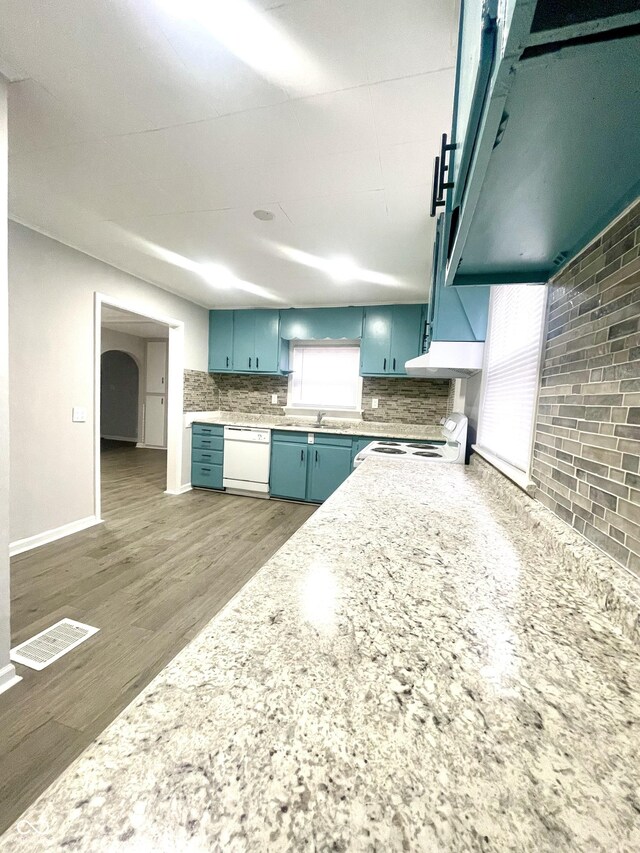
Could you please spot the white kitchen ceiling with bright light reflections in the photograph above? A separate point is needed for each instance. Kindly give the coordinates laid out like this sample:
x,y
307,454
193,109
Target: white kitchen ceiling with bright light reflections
x,y
145,133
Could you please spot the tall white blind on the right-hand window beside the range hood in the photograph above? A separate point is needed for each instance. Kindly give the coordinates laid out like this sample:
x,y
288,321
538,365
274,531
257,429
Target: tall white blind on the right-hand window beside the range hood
x,y
512,360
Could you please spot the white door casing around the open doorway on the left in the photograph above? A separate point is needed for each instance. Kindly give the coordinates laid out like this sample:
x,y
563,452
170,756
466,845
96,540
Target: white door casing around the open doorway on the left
x,y
175,390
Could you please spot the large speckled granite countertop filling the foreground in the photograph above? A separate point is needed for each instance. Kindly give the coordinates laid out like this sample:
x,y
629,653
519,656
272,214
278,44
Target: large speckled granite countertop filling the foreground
x,y
411,671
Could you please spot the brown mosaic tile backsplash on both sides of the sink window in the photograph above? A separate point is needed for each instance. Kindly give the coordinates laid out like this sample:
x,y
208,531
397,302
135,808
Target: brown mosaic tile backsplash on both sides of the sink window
x,y
400,400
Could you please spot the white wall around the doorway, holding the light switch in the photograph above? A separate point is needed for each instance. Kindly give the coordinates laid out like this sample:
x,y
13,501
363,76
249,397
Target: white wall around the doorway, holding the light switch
x,y
51,309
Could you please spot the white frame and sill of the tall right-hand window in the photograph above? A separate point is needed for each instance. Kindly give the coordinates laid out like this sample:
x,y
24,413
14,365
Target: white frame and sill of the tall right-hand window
x,y
521,477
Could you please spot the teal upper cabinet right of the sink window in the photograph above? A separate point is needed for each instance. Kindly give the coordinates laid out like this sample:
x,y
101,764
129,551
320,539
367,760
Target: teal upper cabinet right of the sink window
x,y
391,335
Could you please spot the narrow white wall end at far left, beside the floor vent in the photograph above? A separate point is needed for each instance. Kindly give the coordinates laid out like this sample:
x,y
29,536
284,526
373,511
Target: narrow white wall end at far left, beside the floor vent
x,y
7,672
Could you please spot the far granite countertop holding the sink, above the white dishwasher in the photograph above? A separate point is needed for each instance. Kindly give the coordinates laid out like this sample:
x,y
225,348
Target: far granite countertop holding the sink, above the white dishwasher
x,y
337,426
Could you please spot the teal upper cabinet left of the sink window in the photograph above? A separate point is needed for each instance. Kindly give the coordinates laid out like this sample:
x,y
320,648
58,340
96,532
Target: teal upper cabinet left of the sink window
x,y
246,342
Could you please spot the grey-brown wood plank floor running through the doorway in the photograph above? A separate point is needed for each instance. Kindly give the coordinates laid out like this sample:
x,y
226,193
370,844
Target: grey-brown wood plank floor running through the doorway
x,y
150,578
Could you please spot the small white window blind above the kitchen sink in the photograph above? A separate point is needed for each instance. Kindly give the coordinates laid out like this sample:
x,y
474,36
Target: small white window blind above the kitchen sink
x,y
325,377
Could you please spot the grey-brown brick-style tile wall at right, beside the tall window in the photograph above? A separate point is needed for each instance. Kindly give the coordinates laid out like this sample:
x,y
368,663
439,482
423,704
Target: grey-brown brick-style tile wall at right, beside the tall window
x,y
587,445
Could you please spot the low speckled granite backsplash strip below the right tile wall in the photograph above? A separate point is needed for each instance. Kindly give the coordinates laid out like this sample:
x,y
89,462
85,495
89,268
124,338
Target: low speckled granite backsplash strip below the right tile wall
x,y
615,589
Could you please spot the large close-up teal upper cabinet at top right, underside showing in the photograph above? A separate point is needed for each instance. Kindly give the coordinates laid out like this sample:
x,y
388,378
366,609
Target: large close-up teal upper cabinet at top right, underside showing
x,y
546,134
